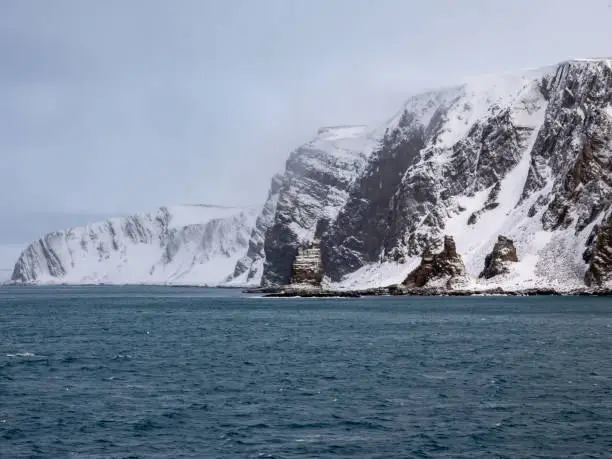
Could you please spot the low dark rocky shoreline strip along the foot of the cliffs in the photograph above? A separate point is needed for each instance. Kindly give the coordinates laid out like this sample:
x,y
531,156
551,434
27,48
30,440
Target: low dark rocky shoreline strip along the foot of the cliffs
x,y
290,292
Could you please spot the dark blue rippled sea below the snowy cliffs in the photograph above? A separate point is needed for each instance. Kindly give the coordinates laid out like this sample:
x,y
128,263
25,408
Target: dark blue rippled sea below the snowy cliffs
x,y
143,372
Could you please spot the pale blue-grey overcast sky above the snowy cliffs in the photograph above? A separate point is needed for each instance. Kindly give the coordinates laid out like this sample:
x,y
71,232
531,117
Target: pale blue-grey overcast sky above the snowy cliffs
x,y
117,106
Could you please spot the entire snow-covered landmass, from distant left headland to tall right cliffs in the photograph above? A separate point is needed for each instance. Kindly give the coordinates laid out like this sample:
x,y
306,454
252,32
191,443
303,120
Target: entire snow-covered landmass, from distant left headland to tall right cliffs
x,y
526,156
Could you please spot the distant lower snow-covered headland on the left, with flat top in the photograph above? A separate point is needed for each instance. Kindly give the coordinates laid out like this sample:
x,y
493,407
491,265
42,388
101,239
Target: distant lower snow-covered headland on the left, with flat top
x,y
175,245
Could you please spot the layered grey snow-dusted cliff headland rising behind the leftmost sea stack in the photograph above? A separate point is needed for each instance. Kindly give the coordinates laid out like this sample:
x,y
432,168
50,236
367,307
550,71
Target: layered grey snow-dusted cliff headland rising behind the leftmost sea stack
x,y
315,185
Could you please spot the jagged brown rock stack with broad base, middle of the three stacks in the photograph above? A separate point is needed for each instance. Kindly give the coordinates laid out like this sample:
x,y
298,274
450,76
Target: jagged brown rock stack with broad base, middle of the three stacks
x,y
446,265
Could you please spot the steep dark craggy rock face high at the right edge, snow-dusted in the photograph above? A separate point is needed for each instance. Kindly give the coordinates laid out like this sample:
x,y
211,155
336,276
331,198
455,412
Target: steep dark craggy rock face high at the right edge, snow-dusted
x,y
573,145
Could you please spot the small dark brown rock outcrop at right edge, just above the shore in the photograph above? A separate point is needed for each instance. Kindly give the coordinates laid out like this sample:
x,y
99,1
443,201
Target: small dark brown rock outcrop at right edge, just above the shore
x,y
599,256
